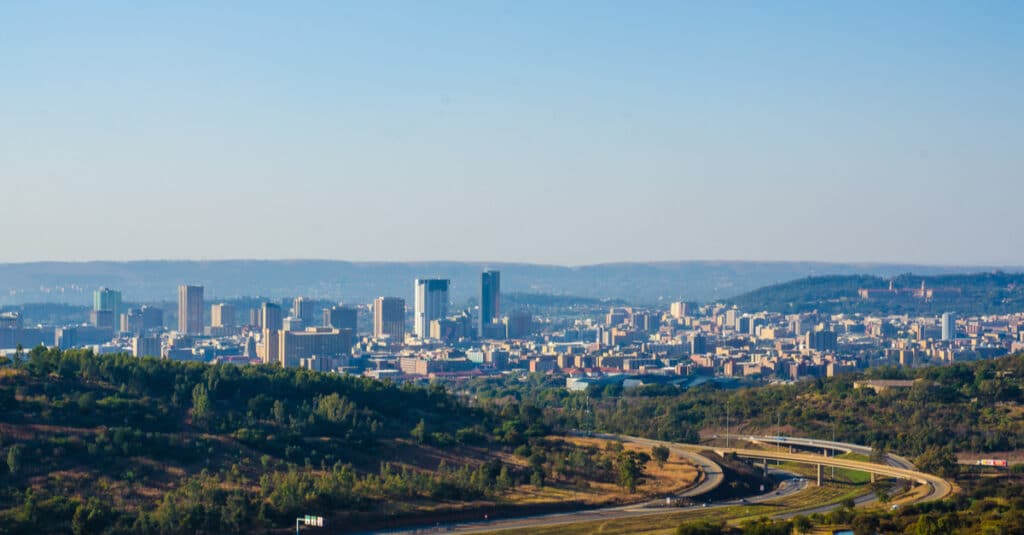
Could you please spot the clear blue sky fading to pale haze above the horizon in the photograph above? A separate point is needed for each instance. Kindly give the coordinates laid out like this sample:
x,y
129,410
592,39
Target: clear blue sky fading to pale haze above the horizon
x,y
566,133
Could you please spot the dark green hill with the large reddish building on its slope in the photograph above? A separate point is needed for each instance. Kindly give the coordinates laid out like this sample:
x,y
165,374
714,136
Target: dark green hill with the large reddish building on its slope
x,y
974,294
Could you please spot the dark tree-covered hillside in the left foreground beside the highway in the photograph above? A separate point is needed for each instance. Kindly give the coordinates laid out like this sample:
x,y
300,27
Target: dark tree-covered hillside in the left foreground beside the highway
x,y
116,444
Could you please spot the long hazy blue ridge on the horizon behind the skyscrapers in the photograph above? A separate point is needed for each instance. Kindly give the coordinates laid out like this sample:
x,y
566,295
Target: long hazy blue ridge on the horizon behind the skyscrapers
x,y
644,283
